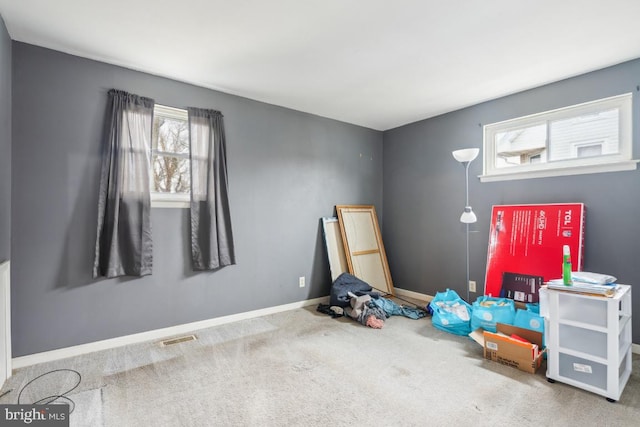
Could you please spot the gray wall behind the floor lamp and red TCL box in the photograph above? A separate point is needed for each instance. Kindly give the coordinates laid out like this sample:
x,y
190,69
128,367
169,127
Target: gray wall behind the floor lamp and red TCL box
x,y
424,191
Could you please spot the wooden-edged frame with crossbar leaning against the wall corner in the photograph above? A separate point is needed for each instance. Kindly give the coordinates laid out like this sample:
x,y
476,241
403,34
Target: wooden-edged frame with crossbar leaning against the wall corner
x,y
363,246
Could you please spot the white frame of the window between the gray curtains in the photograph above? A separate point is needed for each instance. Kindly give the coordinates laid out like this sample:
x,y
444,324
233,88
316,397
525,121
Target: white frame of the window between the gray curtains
x,y
168,200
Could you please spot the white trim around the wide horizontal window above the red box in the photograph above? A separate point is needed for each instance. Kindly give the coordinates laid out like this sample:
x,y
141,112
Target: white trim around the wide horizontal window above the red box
x,y
586,165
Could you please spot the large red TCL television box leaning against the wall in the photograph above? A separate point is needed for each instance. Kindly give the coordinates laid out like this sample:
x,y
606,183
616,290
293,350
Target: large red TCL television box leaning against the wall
x,y
528,239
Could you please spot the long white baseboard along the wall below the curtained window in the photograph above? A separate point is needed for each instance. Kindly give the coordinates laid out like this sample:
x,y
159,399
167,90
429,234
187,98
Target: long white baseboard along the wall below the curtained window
x,y
157,334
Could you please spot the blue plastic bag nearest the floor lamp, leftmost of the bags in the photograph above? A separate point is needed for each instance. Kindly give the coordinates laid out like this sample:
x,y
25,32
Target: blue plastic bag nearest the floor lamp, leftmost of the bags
x,y
450,313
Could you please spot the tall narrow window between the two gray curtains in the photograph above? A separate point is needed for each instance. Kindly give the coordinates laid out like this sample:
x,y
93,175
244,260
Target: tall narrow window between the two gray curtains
x,y
170,170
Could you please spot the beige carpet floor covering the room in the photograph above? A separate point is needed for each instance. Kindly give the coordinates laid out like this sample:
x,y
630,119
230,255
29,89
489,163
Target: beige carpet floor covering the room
x,y
303,368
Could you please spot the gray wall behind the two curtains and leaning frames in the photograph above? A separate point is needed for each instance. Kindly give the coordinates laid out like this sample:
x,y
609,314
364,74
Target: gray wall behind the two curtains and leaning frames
x,y
286,170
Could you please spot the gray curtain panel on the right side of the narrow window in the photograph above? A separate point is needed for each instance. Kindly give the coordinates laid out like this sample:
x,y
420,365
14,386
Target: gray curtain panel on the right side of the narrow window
x,y
211,237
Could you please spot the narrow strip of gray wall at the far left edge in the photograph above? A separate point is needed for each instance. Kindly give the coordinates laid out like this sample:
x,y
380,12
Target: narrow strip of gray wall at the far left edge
x,y
5,143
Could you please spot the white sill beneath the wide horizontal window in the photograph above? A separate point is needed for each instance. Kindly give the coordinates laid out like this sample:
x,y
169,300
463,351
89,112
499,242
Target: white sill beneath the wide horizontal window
x,y
625,165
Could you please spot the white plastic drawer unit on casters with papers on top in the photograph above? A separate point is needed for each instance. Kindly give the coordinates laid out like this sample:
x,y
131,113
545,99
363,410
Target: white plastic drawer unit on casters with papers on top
x,y
588,340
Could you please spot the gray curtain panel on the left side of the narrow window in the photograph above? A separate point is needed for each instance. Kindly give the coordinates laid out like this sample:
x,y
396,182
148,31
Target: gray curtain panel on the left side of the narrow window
x,y
123,243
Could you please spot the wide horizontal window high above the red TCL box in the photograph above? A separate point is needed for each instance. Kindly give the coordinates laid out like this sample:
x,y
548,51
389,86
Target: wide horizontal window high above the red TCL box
x,y
586,138
